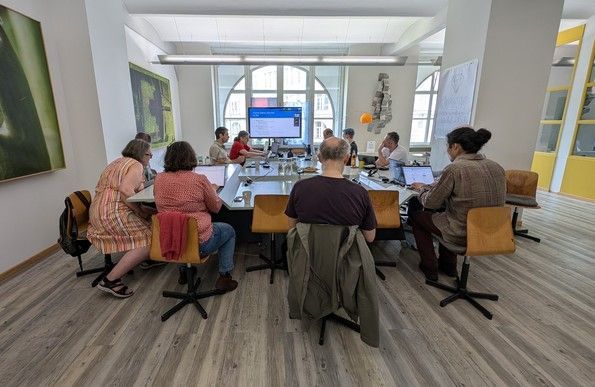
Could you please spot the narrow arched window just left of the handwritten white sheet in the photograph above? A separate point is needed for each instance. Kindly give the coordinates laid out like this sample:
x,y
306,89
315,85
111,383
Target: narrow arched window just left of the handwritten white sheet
x,y
424,109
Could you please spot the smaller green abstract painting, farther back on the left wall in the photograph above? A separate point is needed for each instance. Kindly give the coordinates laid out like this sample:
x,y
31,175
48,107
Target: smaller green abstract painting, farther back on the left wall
x,y
152,106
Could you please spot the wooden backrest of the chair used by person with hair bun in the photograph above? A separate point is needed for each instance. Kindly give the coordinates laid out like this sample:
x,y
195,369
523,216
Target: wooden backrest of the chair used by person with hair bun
x,y
489,231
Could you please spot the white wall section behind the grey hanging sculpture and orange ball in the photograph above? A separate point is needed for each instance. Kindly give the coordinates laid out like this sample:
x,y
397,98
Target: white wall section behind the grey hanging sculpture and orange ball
x,y
361,88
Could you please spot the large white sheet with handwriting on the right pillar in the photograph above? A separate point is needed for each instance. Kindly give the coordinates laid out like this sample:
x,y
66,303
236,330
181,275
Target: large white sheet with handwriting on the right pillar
x,y
455,98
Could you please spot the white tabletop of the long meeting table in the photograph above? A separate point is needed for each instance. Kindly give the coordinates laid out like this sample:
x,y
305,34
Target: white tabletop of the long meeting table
x,y
245,183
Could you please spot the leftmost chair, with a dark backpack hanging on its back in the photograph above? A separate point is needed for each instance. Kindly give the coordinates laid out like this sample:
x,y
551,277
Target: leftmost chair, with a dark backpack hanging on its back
x,y
76,222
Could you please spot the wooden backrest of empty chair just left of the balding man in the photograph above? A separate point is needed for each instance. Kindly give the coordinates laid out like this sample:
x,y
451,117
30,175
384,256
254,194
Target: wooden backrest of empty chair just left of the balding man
x,y
269,214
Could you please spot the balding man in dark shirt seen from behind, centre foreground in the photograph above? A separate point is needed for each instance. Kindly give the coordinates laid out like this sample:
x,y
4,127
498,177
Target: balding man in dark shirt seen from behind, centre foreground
x,y
343,203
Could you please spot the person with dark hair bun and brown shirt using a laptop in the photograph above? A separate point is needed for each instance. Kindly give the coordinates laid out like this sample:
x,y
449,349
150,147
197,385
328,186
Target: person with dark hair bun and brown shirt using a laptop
x,y
470,181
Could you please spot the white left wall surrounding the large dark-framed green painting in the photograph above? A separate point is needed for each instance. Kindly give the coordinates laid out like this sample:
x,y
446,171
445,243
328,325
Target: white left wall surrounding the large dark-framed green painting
x,y
30,206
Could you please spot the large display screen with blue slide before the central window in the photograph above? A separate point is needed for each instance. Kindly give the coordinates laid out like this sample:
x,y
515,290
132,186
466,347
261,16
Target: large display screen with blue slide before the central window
x,y
275,122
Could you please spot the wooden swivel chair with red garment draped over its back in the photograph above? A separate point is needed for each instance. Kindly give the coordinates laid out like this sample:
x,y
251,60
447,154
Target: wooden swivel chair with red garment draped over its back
x,y
190,256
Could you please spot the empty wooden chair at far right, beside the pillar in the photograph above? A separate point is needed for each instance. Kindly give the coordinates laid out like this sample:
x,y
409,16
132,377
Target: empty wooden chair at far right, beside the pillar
x,y
521,190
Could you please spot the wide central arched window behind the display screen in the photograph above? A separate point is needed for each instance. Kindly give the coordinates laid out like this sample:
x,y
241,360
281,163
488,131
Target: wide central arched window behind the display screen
x,y
277,85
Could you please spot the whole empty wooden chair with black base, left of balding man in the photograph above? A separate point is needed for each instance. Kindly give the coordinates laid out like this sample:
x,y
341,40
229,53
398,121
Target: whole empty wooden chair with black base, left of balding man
x,y
269,217
